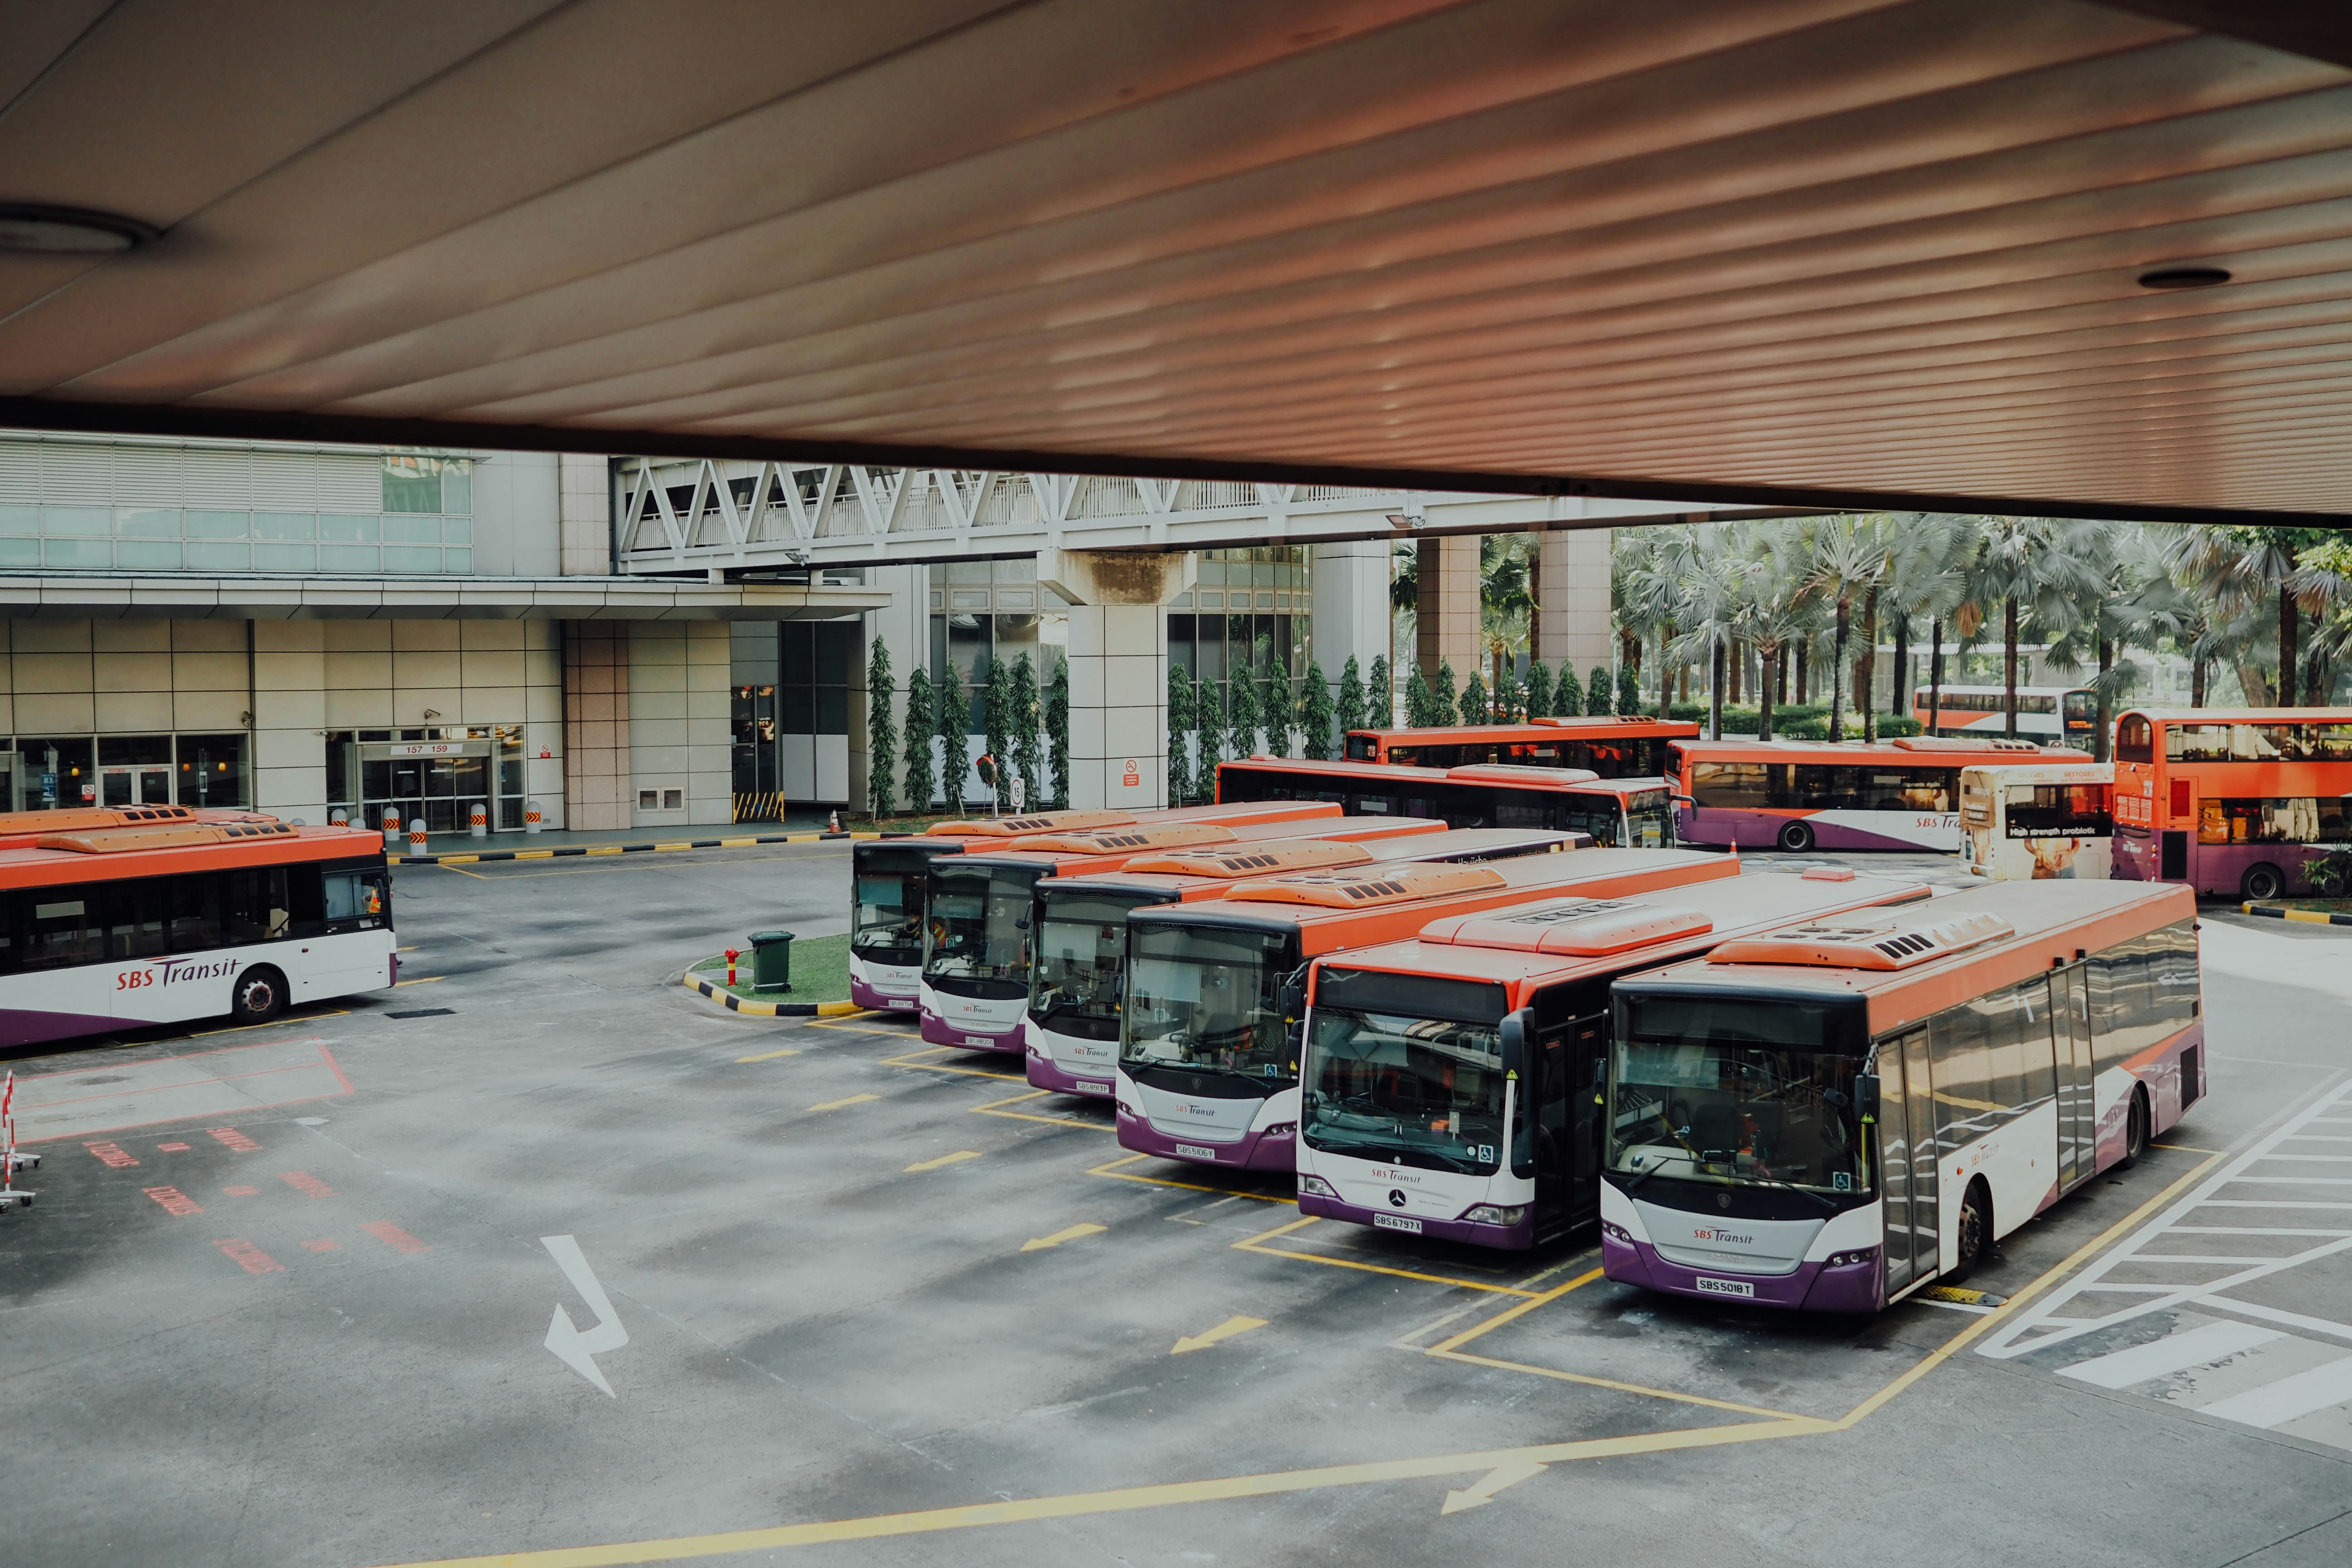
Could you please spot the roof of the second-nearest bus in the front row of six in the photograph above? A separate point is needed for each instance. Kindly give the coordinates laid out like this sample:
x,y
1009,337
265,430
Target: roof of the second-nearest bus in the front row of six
x,y
1563,939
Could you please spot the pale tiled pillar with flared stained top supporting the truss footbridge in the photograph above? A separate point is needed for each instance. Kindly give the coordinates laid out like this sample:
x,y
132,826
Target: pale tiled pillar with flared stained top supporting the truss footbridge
x,y
1118,671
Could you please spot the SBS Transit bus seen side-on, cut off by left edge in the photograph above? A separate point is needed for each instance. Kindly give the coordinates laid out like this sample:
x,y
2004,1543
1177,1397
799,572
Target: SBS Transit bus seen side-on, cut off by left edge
x,y
161,923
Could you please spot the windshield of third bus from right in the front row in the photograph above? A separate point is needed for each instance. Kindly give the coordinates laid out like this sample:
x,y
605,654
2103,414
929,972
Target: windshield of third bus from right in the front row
x,y
1205,998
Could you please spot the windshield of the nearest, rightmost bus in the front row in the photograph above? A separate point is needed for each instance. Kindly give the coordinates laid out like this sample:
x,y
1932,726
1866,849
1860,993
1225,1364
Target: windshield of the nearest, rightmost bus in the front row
x,y
1735,1092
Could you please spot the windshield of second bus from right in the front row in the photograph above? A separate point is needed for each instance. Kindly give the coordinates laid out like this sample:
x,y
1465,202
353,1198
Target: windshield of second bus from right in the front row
x,y
1415,1092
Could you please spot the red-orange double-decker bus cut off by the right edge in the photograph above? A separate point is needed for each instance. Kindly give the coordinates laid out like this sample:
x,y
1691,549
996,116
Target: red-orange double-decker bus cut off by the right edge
x,y
2231,800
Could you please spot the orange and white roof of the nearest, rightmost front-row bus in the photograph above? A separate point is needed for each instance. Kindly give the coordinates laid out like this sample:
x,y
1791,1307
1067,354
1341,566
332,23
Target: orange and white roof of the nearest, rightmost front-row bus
x,y
1909,965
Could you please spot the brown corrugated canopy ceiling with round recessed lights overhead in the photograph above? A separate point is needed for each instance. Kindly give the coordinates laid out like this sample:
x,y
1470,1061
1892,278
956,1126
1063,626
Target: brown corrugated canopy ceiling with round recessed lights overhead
x,y
1751,250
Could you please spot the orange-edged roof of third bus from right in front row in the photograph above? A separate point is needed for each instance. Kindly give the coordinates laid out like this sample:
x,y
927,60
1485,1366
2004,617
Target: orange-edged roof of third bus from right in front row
x,y
1596,873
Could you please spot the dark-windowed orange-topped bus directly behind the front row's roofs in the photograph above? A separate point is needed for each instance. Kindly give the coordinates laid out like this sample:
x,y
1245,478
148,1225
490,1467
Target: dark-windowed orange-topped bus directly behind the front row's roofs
x,y
1617,812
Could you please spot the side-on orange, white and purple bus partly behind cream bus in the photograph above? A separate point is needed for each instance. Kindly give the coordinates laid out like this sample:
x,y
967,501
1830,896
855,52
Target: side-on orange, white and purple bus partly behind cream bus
x,y
1815,796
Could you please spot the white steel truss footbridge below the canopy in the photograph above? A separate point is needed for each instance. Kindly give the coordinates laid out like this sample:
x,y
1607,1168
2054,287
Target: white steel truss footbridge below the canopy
x,y
721,516
